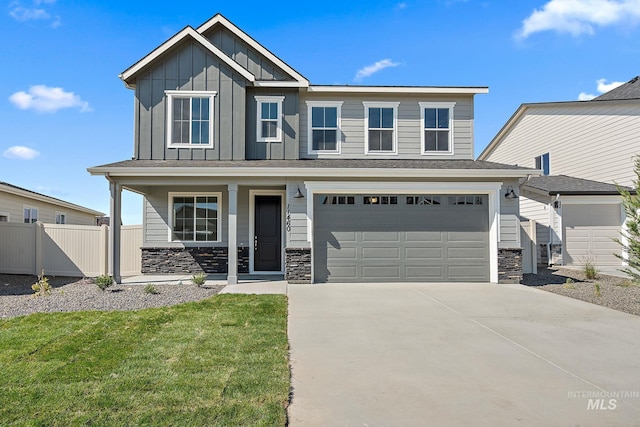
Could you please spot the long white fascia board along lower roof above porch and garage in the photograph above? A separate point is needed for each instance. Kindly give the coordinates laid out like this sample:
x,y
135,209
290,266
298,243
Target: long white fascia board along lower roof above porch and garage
x,y
310,172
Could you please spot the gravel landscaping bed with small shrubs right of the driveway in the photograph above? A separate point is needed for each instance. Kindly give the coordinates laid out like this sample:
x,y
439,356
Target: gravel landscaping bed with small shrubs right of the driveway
x,y
610,291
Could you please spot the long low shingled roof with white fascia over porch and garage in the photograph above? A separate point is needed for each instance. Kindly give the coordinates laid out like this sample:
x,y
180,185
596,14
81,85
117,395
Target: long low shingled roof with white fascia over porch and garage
x,y
311,167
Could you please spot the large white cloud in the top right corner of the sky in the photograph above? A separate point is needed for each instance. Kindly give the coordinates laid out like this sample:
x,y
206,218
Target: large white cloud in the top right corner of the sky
x,y
578,17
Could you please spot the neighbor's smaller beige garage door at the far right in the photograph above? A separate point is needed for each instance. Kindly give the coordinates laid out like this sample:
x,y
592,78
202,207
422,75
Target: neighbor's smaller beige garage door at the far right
x,y
588,234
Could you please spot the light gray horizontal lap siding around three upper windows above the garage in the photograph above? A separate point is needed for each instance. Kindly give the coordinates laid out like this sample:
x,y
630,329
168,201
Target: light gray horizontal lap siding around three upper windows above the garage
x,y
409,128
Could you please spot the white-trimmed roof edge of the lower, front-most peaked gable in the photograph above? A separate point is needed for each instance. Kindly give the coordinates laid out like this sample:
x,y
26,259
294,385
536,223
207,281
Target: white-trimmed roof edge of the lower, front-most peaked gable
x,y
128,75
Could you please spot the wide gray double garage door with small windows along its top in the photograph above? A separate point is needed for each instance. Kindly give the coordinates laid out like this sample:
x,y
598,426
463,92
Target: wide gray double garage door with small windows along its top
x,y
384,238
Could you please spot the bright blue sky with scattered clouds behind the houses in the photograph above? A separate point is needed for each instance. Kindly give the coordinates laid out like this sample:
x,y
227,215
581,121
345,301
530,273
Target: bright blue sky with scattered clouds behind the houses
x,y
64,109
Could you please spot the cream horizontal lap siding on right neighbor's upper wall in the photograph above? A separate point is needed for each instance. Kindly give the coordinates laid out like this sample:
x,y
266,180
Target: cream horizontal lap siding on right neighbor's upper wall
x,y
596,141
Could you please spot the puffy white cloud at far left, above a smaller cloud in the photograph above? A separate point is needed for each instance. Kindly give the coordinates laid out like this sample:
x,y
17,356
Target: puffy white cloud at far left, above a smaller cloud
x,y
48,99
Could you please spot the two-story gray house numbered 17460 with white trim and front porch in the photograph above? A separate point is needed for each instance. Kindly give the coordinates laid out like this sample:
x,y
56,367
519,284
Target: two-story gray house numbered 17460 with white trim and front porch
x,y
246,167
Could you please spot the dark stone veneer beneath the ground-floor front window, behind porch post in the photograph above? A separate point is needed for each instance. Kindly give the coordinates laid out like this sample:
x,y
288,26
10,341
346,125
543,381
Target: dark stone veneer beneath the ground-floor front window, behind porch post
x,y
191,260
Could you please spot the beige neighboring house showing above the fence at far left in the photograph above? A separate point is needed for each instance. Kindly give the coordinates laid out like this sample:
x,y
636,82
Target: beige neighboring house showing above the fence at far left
x,y
21,205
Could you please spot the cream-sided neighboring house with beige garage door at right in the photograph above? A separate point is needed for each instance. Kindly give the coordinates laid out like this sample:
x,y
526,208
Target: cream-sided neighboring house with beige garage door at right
x,y
583,148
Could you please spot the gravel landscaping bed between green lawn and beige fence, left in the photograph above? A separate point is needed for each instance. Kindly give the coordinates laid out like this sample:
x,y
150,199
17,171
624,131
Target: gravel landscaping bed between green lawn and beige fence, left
x,y
76,294
